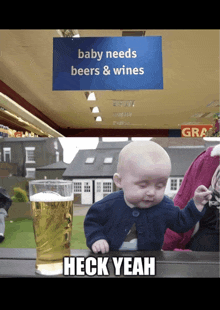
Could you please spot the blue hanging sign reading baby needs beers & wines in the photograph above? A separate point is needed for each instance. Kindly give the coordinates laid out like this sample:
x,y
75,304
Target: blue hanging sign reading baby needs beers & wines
x,y
106,63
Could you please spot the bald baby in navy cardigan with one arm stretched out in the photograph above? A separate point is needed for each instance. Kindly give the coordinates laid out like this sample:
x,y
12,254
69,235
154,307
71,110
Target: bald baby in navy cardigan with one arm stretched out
x,y
136,217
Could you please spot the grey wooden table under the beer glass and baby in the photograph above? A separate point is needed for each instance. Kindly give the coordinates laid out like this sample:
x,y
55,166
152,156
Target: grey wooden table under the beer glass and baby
x,y
21,263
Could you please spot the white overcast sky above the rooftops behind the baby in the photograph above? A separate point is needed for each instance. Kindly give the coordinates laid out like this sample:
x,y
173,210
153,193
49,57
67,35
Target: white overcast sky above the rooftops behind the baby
x,y
72,145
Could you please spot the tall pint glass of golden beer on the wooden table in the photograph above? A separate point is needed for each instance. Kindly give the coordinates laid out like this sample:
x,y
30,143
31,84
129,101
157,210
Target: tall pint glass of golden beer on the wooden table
x,y
52,211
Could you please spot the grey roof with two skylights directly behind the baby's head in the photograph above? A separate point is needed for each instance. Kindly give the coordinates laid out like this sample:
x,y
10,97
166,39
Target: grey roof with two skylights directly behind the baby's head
x,y
181,159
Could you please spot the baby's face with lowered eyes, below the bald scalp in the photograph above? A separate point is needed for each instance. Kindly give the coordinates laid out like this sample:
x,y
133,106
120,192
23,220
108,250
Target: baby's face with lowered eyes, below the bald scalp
x,y
144,186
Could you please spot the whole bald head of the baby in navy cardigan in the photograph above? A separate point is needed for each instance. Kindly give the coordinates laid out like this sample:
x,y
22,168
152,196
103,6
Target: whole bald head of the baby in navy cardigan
x,y
143,171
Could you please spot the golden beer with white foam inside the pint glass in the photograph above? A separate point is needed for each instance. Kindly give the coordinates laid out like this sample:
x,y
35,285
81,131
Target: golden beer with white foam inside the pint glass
x,y
52,222
